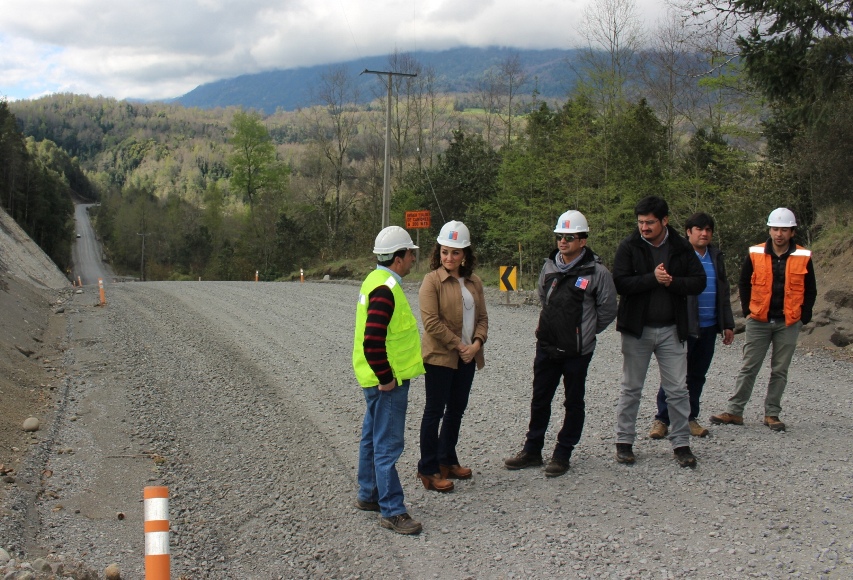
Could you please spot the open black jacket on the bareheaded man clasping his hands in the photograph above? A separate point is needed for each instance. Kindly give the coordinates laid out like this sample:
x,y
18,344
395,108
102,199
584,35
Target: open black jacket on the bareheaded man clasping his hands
x,y
634,276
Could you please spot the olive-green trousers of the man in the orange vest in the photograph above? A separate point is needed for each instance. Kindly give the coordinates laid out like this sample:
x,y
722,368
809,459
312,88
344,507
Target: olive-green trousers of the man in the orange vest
x,y
759,337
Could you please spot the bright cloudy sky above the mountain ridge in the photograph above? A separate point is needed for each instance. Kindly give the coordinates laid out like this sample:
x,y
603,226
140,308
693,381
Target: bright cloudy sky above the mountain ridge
x,y
165,48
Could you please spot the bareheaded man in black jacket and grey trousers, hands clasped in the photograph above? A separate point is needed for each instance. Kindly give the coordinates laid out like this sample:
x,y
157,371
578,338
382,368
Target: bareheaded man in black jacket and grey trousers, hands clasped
x,y
655,269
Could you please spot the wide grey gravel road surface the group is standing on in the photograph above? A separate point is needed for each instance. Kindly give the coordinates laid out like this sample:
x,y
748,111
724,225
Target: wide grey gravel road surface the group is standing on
x,y
240,398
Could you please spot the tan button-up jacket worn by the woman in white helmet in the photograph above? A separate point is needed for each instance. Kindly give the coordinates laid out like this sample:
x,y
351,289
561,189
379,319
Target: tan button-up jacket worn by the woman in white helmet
x,y
440,299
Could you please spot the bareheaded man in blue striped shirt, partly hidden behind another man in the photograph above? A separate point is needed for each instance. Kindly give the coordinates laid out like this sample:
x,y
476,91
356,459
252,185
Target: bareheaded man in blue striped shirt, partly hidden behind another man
x,y
709,314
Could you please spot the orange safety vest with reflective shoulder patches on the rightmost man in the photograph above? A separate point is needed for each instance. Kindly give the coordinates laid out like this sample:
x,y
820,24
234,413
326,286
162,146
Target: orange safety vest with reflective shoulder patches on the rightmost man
x,y
762,283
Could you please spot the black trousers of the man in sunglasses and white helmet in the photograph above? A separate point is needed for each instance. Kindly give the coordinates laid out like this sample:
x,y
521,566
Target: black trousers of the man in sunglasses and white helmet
x,y
546,378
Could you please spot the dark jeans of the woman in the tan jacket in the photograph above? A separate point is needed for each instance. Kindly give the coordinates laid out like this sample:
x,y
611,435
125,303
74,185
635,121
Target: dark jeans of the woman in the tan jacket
x,y
447,393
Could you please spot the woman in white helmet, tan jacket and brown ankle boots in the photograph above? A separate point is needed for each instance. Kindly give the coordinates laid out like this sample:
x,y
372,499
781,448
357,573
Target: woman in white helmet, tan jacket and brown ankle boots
x,y
456,325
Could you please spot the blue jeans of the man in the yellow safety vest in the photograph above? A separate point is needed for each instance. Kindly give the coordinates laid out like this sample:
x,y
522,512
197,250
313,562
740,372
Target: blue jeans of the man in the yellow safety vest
x,y
381,446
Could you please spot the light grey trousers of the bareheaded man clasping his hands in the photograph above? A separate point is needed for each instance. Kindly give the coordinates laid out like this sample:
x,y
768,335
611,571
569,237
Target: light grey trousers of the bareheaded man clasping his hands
x,y
671,355
